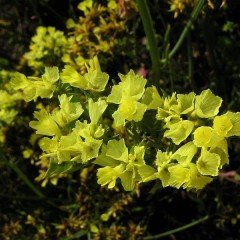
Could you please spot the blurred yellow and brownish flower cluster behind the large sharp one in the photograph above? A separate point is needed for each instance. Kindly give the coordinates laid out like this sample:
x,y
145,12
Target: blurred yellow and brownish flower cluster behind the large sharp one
x,y
100,31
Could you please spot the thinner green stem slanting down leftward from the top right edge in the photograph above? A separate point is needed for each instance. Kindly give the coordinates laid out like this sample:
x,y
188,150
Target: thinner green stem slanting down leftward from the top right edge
x,y
194,15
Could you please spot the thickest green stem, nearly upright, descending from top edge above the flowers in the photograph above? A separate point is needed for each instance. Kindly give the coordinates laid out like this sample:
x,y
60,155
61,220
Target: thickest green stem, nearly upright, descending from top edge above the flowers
x,y
151,39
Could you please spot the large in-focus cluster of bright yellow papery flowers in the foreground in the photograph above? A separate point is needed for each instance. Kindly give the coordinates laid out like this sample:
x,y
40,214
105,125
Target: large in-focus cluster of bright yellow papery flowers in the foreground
x,y
77,133
